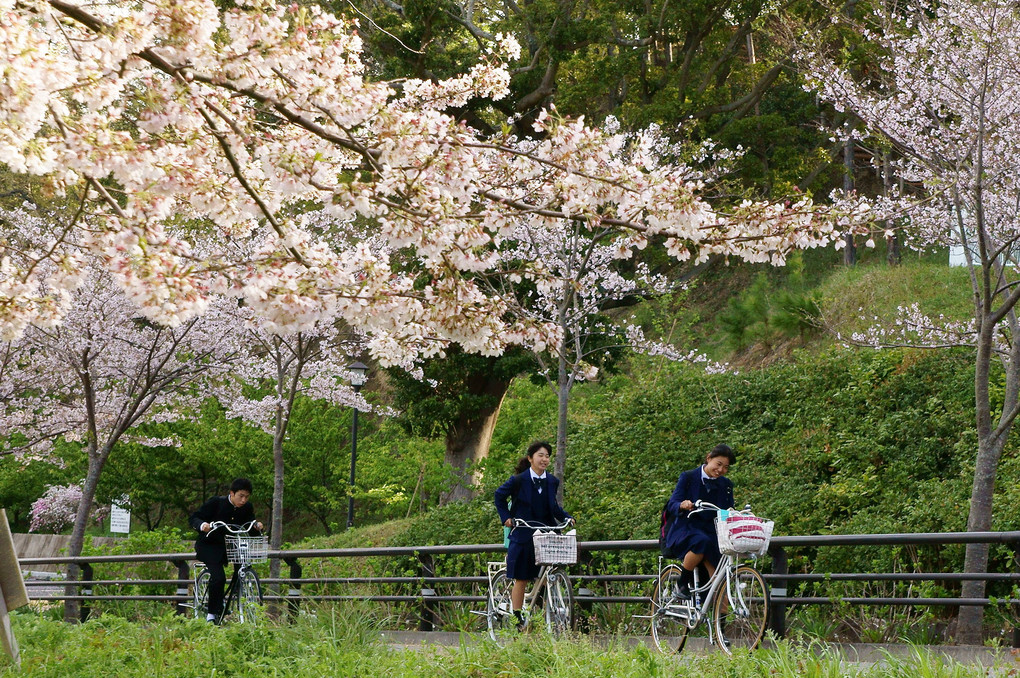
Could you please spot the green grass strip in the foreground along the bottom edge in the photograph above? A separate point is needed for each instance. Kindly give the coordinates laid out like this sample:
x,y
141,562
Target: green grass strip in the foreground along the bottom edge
x,y
345,642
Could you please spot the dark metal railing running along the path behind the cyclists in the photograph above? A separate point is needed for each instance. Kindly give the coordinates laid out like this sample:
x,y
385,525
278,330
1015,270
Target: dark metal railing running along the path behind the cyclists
x,y
428,580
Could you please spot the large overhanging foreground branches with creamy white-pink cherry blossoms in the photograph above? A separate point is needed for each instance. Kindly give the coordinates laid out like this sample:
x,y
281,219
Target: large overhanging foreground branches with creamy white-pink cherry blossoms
x,y
177,111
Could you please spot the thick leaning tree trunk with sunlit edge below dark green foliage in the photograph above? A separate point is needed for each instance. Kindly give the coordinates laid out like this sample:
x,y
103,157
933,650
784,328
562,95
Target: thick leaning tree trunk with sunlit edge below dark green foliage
x,y
468,444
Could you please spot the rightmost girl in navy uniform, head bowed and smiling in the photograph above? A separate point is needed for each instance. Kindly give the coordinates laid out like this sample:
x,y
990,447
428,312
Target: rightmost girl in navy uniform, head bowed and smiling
x,y
693,539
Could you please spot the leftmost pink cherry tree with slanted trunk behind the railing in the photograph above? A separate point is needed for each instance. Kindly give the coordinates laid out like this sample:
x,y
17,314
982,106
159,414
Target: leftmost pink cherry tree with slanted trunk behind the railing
x,y
100,374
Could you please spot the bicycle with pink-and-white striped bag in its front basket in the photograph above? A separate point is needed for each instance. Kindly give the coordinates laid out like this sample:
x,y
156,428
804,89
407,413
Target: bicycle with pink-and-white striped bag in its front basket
x,y
737,595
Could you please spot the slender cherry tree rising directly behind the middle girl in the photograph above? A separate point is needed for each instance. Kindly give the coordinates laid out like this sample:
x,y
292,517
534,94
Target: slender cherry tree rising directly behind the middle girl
x,y
588,274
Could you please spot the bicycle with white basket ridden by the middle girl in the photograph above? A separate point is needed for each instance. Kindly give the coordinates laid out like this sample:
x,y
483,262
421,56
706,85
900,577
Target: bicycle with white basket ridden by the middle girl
x,y
553,551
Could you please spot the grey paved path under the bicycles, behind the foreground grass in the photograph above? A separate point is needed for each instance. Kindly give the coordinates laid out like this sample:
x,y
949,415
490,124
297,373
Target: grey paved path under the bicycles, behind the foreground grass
x,y
864,654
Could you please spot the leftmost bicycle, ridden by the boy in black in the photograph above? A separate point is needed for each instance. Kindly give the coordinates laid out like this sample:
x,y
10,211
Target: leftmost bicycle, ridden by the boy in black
x,y
244,592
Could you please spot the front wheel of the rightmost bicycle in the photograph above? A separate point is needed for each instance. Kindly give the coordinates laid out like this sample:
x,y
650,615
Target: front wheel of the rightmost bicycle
x,y
741,616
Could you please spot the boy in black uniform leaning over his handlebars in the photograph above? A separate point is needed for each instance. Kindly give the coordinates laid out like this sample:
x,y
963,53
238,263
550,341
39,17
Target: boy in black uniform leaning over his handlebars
x,y
212,548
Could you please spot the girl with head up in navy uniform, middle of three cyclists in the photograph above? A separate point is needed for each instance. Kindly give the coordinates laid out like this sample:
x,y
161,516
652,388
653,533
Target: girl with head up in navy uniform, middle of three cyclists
x,y
532,496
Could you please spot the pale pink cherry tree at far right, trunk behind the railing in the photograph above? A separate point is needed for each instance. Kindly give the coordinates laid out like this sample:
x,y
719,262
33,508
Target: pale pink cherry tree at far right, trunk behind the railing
x,y
944,93
